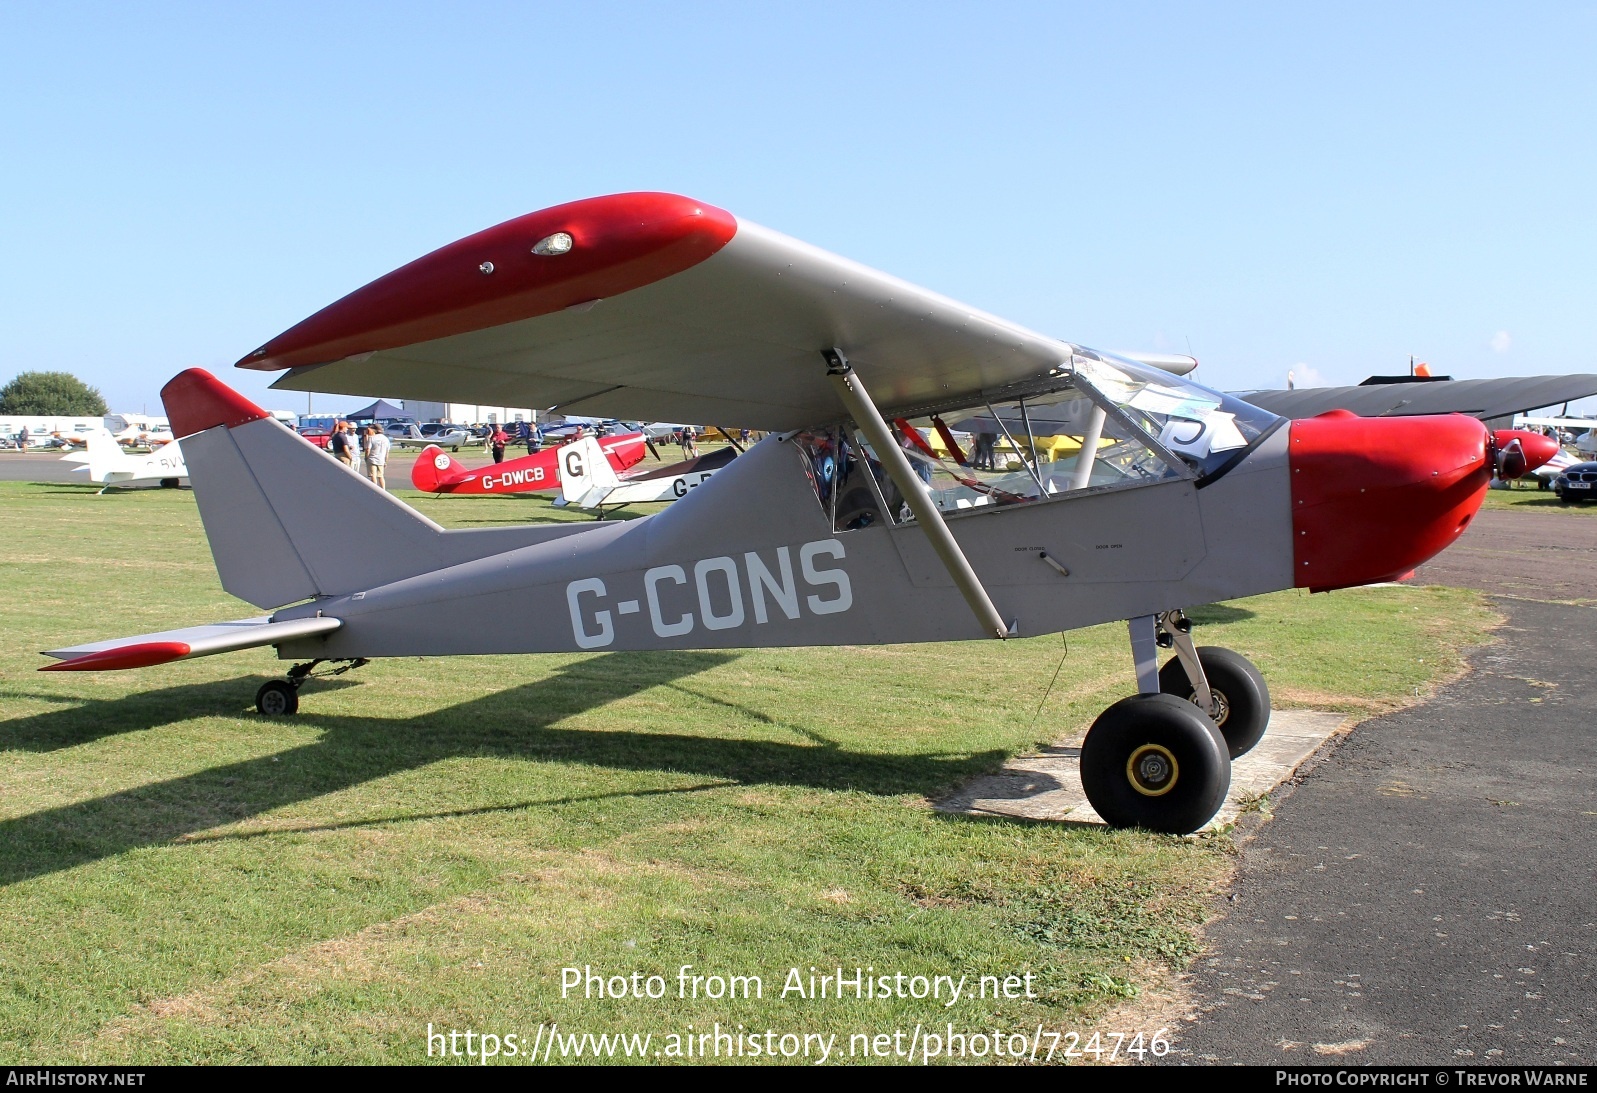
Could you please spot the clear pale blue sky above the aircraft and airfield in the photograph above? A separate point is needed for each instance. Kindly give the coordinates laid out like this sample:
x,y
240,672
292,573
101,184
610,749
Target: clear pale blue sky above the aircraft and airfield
x,y
1326,188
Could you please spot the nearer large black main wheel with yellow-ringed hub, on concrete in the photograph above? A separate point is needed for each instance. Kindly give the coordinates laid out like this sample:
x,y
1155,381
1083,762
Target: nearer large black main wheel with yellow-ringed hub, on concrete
x,y
1157,763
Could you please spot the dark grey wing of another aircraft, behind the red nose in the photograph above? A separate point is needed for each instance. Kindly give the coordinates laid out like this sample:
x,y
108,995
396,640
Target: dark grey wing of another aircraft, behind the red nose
x,y
1483,399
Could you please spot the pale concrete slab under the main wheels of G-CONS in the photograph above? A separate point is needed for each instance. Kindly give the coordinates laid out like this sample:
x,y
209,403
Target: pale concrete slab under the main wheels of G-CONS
x,y
1048,785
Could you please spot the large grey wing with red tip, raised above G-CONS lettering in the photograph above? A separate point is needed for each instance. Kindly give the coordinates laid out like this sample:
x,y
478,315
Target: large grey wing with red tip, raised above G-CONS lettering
x,y
657,308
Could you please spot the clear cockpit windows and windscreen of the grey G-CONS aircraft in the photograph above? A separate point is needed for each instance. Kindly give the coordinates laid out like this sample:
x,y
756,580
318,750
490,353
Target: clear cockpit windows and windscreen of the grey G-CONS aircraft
x,y
1098,423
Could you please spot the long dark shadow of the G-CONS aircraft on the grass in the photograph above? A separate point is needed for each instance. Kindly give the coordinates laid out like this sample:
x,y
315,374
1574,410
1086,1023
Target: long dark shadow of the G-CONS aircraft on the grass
x,y
518,723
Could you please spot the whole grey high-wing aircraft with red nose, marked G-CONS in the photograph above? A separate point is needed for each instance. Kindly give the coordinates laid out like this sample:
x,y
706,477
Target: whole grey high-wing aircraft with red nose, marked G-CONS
x,y
1088,487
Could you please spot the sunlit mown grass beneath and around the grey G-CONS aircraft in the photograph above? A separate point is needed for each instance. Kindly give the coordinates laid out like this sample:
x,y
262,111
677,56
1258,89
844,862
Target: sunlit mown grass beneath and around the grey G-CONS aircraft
x,y
434,841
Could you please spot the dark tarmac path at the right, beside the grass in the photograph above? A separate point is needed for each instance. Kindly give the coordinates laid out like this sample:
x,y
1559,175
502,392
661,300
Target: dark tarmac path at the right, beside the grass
x,y
1429,892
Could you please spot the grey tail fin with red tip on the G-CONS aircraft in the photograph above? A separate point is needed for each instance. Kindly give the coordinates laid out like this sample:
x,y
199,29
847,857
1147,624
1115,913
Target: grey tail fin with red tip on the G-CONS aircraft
x,y
285,520
